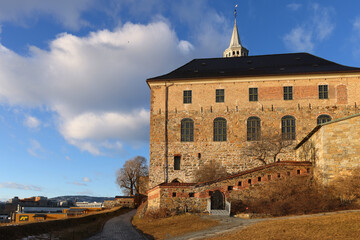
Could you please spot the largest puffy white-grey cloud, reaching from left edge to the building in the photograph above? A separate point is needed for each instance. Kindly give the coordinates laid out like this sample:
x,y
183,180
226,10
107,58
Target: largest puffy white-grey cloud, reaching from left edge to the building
x,y
95,84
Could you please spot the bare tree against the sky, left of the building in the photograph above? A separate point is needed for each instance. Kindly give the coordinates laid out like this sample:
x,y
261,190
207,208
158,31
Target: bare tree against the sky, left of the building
x,y
129,175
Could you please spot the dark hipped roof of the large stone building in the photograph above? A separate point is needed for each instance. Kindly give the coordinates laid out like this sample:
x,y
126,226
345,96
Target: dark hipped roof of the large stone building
x,y
261,65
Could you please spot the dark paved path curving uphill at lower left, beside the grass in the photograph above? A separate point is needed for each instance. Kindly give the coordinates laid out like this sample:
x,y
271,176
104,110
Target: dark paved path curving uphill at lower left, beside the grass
x,y
119,228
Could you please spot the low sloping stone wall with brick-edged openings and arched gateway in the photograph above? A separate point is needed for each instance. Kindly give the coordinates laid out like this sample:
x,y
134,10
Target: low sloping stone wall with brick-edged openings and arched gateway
x,y
195,197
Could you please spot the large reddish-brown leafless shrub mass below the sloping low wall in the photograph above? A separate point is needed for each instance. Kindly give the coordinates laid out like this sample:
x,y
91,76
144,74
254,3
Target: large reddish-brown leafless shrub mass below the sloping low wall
x,y
290,195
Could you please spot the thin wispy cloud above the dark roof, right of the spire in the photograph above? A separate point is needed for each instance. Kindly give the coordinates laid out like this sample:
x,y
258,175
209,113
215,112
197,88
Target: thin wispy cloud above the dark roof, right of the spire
x,y
313,31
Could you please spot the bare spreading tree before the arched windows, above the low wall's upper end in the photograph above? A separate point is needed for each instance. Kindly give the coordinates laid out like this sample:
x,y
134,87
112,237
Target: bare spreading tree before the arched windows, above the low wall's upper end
x,y
270,145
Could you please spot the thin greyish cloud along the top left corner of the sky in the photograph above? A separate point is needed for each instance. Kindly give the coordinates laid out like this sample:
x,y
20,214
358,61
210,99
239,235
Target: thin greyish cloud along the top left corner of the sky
x,y
66,12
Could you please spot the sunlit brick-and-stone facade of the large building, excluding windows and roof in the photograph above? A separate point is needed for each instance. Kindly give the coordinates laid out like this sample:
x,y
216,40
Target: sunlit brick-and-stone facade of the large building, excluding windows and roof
x,y
344,97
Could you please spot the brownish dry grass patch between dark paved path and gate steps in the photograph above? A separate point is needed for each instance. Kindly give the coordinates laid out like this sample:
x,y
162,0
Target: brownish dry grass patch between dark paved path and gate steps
x,y
172,226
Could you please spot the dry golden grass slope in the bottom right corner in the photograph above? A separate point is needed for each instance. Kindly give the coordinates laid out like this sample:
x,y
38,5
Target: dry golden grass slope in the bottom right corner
x,y
337,226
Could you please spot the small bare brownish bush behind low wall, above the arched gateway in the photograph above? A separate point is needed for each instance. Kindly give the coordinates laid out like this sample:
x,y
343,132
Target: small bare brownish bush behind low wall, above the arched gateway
x,y
210,171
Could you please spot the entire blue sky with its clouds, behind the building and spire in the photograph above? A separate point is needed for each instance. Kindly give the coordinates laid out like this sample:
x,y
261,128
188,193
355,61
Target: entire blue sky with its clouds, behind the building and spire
x,y
74,105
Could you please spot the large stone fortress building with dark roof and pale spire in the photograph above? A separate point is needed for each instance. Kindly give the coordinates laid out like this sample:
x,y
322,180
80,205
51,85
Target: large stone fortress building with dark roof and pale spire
x,y
210,109
